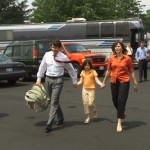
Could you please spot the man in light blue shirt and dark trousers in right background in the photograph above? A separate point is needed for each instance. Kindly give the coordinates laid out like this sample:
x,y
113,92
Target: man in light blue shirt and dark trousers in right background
x,y
141,56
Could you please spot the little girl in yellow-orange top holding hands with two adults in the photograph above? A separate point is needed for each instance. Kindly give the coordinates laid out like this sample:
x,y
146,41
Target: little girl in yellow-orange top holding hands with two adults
x,y
88,77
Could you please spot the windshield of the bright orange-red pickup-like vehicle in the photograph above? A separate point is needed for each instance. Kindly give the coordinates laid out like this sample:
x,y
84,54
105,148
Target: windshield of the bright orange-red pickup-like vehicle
x,y
75,48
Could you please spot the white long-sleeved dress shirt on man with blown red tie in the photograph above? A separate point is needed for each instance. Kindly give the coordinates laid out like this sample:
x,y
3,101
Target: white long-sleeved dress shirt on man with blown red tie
x,y
55,69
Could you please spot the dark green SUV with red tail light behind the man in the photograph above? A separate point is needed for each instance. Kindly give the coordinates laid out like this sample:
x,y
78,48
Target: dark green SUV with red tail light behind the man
x,y
28,52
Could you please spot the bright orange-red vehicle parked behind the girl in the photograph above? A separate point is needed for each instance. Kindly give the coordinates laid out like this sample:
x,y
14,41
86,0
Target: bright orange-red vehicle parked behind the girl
x,y
77,53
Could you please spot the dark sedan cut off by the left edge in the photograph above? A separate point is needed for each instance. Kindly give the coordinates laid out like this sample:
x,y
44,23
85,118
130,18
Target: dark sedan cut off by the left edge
x,y
11,71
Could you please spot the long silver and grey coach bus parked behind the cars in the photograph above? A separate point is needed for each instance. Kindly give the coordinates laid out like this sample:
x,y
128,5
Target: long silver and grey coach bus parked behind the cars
x,y
95,35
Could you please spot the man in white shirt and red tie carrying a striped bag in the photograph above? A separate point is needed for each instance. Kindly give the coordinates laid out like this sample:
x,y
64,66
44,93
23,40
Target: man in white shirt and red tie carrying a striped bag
x,y
54,63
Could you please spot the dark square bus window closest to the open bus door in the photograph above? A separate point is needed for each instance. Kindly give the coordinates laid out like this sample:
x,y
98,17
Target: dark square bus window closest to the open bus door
x,y
122,29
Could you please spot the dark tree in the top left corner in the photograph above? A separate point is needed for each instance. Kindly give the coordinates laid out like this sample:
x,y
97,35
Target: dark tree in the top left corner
x,y
13,12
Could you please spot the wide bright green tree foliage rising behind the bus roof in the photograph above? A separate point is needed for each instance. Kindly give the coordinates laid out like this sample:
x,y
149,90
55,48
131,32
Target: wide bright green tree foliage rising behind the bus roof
x,y
62,10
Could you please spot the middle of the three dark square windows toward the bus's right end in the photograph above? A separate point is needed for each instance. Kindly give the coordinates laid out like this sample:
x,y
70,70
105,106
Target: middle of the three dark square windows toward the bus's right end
x,y
107,30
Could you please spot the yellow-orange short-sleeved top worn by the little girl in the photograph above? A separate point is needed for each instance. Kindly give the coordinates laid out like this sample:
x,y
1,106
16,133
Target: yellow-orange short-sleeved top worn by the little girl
x,y
89,79
